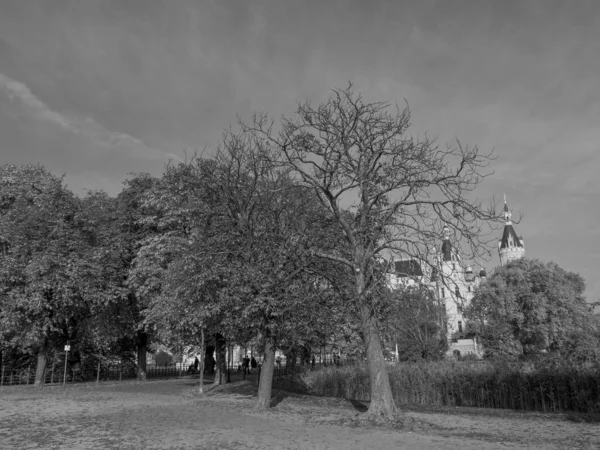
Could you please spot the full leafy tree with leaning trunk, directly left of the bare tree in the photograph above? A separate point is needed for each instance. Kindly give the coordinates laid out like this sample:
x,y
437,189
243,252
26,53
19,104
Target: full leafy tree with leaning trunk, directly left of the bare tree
x,y
232,252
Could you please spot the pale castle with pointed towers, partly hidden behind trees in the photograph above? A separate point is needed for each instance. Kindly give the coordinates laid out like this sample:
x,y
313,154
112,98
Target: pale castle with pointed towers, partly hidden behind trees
x,y
454,283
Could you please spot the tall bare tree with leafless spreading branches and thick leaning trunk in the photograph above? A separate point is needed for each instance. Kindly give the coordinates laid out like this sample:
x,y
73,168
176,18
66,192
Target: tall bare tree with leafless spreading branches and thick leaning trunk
x,y
389,192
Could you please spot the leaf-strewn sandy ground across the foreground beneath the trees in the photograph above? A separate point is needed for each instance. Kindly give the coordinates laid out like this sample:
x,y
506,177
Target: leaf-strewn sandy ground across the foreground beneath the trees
x,y
170,414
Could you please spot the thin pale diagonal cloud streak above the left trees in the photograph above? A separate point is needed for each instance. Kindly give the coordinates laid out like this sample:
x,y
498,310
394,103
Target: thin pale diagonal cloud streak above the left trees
x,y
85,127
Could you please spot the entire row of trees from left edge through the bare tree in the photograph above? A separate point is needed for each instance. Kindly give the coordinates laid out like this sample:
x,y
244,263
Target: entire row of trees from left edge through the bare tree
x,y
280,237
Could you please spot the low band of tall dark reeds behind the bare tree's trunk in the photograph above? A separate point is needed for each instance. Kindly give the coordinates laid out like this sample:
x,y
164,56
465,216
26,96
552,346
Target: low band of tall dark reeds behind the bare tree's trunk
x,y
538,386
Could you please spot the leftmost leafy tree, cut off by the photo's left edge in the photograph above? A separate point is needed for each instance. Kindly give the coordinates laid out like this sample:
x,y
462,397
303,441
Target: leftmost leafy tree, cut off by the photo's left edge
x,y
48,271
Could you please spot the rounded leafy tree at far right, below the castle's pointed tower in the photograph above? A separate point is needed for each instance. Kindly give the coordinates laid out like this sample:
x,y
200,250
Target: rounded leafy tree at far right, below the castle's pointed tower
x,y
529,306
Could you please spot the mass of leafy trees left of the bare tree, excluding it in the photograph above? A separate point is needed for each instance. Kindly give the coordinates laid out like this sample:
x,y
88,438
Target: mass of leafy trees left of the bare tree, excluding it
x,y
206,249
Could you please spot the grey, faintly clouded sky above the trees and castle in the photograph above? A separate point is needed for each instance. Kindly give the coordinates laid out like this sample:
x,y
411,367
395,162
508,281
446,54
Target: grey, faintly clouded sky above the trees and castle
x,y
99,89
